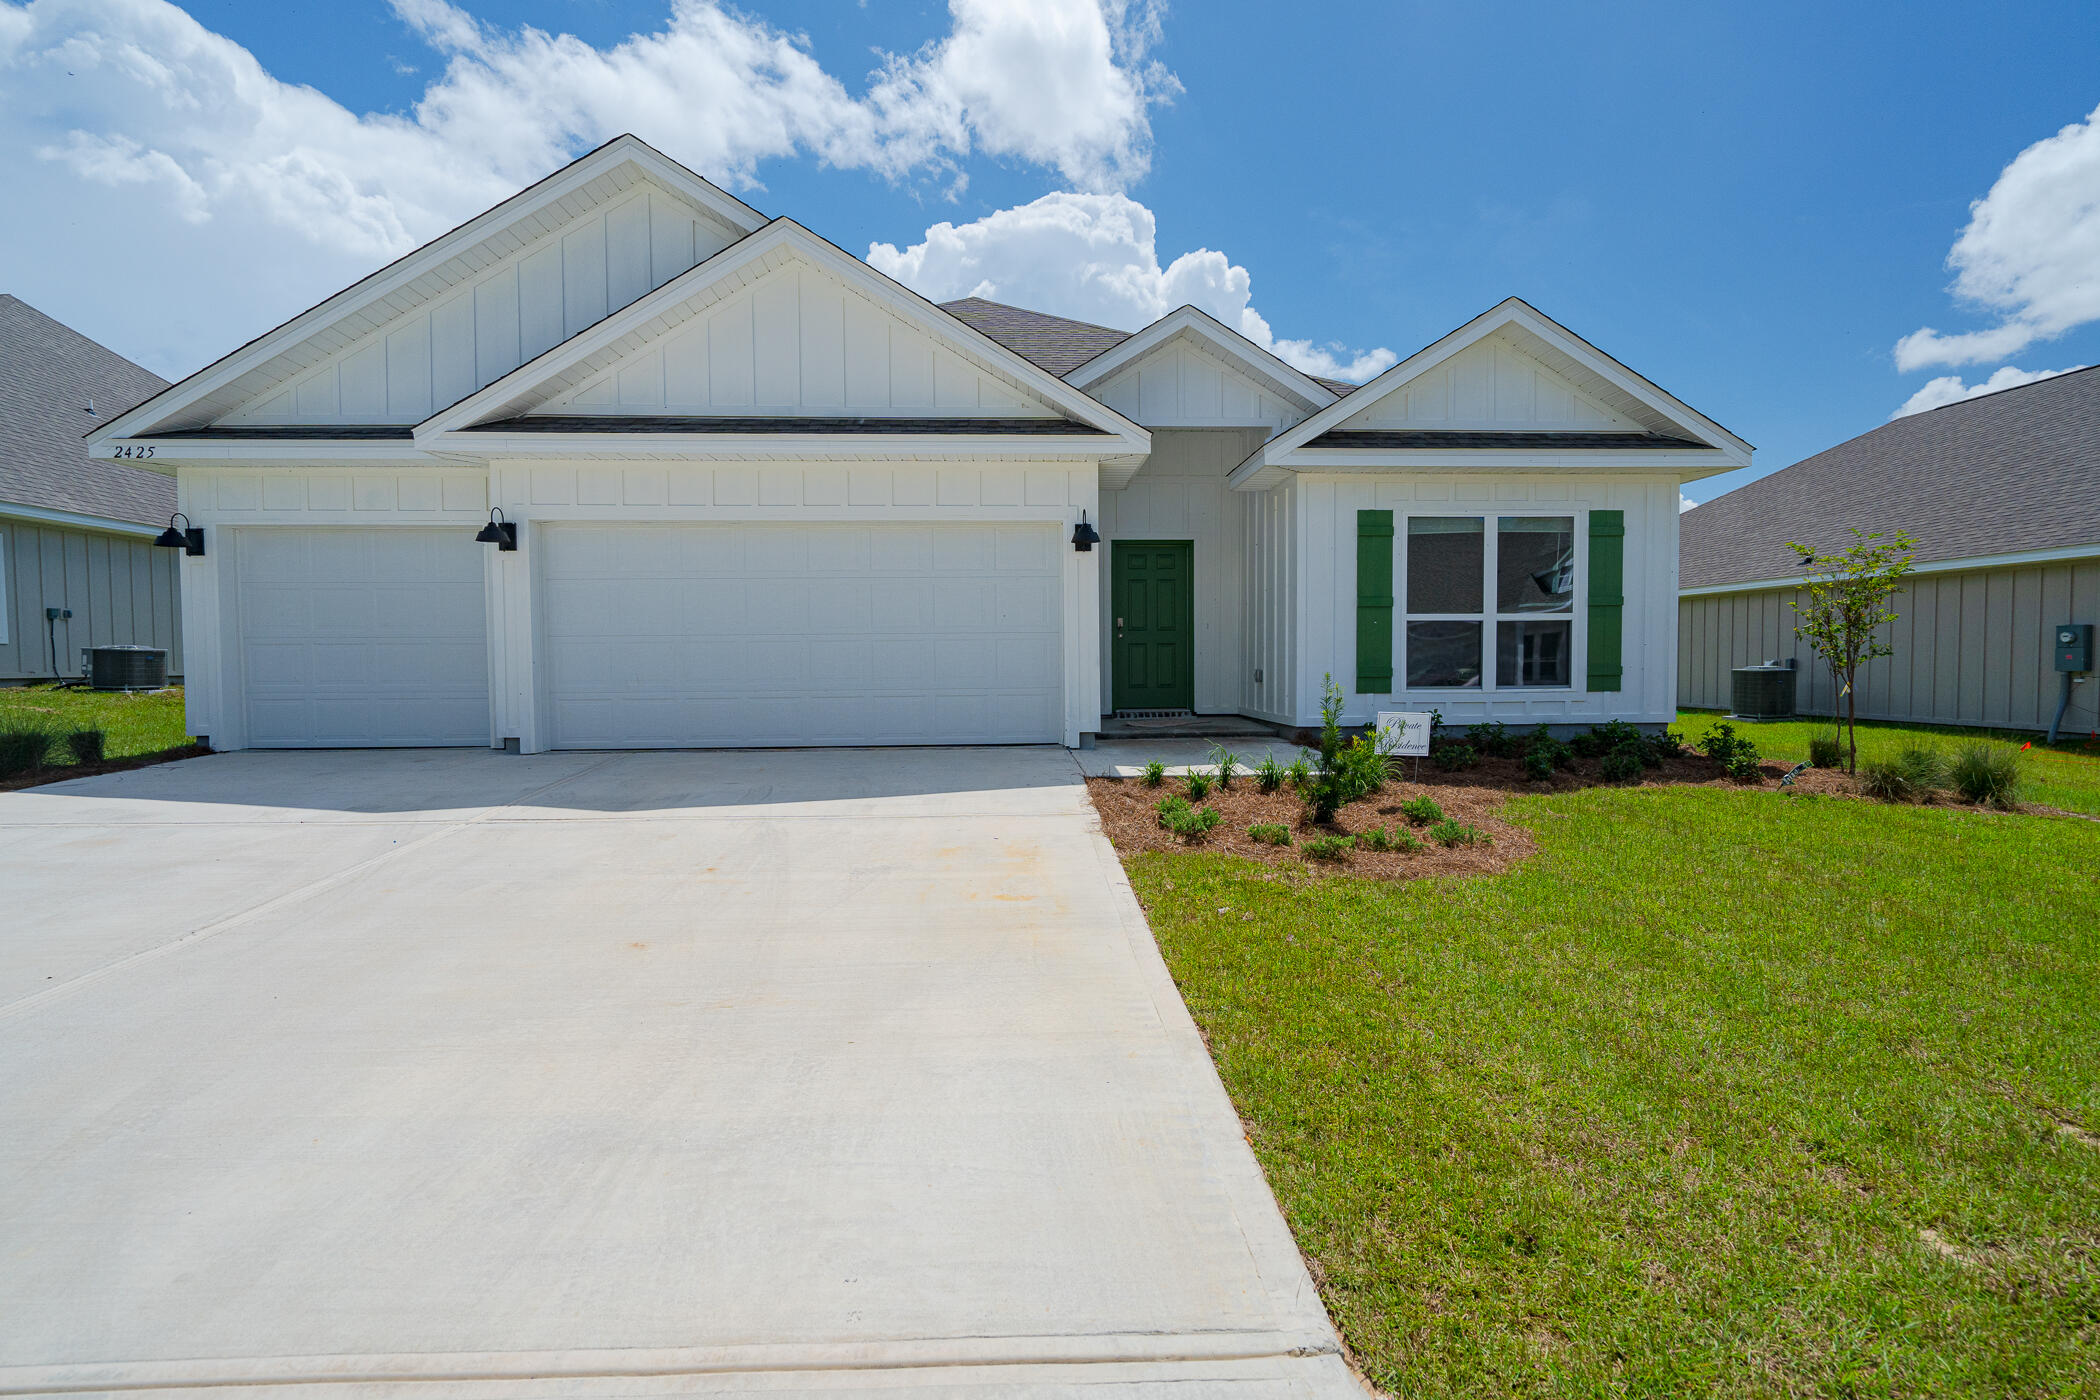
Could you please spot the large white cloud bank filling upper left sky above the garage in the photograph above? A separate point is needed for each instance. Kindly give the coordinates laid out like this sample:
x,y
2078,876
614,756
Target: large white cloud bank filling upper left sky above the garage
x,y
169,169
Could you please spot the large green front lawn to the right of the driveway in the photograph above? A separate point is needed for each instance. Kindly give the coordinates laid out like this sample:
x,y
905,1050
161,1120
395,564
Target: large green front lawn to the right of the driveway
x,y
1723,1093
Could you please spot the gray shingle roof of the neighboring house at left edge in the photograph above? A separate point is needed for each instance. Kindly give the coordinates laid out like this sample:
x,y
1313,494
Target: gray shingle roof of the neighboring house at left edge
x,y
49,375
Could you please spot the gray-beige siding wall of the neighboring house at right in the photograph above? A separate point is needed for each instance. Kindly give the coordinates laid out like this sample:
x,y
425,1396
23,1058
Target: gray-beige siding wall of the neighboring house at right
x,y
1971,648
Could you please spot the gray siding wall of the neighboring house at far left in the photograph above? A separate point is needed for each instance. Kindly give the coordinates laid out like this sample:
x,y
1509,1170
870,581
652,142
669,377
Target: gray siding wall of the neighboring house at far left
x,y
119,587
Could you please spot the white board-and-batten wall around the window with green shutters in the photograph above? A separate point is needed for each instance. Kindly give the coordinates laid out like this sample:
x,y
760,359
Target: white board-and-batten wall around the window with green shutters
x,y
1326,574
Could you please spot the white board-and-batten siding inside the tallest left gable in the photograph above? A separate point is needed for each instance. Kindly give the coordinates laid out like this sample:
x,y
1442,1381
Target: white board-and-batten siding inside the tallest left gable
x,y
532,301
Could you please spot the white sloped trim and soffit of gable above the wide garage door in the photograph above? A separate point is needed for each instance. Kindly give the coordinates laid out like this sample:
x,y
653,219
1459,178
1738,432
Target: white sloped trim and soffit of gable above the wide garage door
x,y
639,324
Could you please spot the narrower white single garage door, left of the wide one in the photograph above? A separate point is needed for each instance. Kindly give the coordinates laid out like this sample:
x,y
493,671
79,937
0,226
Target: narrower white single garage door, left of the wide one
x,y
362,637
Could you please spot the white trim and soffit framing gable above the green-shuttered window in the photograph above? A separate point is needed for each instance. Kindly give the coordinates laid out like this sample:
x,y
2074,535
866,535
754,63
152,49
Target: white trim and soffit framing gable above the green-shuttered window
x,y
1553,345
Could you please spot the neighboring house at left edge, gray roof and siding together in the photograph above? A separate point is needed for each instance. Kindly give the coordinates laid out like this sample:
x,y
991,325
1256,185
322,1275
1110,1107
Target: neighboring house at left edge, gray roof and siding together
x,y
77,534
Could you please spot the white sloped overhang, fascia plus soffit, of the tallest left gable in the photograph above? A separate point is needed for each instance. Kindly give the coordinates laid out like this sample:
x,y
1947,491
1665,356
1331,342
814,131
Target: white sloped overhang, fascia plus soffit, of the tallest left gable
x,y
625,158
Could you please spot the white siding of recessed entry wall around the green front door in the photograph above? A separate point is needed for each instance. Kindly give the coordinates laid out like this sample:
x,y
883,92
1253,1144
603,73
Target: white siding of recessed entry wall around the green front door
x,y
1181,494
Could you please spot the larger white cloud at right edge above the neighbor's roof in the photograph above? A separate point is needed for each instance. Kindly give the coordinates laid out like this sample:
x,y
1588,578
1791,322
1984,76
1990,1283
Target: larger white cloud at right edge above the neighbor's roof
x,y
2030,255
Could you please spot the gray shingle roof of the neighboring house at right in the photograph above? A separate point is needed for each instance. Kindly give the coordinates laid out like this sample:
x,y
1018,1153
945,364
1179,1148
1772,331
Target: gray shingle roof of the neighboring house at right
x,y
1996,475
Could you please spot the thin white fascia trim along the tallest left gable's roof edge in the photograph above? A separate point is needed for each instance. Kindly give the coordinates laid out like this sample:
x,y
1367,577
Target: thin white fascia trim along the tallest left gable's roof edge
x,y
530,200
